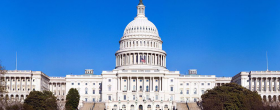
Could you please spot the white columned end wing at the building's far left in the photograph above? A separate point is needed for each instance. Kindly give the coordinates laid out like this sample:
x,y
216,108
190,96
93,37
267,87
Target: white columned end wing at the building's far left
x,y
20,82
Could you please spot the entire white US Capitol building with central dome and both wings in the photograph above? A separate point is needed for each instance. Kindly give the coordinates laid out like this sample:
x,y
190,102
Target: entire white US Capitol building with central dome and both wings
x,y
140,79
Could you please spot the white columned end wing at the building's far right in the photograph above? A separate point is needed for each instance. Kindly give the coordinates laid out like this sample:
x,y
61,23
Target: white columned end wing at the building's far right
x,y
266,83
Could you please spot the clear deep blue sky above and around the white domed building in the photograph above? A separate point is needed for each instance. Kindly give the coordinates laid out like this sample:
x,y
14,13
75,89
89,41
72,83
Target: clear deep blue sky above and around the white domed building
x,y
217,37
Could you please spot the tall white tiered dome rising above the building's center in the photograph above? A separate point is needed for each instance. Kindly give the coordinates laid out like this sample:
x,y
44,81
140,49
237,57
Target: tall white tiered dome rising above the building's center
x,y
140,46
